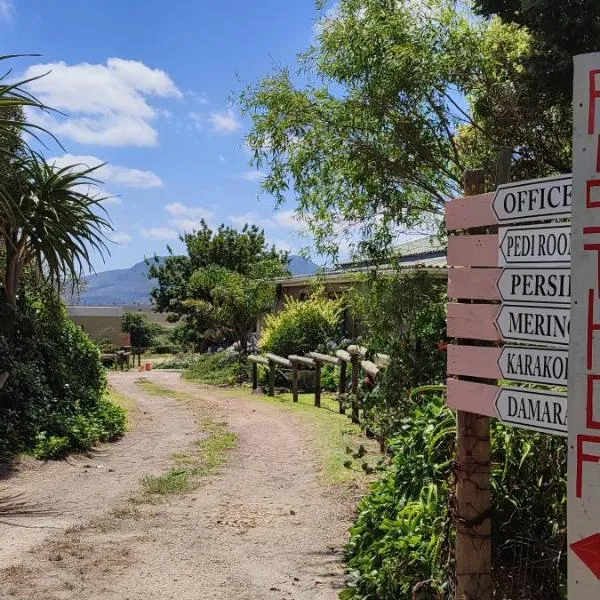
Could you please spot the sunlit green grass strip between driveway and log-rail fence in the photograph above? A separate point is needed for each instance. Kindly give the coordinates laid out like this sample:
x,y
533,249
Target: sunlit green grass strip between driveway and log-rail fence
x,y
339,441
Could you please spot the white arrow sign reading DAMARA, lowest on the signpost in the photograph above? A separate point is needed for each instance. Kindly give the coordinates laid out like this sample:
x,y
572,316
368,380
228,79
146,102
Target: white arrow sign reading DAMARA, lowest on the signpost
x,y
530,409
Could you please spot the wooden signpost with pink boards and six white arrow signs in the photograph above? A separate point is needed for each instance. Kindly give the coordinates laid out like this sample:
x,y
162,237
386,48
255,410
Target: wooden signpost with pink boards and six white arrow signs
x,y
511,284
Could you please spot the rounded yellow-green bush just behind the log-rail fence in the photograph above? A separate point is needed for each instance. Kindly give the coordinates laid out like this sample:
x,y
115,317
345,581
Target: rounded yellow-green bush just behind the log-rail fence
x,y
302,326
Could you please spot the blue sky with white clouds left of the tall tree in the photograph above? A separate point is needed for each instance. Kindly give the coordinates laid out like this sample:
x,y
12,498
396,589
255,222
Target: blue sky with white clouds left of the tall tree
x,y
146,85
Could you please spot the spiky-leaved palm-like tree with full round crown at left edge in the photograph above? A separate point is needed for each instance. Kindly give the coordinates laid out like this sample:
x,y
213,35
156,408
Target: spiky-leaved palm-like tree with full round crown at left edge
x,y
57,222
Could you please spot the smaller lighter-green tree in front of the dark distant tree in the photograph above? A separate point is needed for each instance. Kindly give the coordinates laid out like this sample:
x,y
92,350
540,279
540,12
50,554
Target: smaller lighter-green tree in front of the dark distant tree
x,y
235,302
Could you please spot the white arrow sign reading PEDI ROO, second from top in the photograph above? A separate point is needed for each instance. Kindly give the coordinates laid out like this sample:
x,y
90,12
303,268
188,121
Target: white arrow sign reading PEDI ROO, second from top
x,y
535,245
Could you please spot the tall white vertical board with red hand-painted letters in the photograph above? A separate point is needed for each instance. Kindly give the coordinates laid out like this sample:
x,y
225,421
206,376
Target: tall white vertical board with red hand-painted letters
x,y
584,350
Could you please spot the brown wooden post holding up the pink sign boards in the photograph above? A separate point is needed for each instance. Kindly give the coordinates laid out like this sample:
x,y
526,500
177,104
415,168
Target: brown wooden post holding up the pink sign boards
x,y
473,485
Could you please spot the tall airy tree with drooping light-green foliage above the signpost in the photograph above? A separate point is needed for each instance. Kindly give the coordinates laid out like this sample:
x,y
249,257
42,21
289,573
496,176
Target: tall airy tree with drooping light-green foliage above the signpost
x,y
381,140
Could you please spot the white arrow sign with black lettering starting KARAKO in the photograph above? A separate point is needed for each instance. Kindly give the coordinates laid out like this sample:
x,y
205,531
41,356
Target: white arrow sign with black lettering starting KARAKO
x,y
548,366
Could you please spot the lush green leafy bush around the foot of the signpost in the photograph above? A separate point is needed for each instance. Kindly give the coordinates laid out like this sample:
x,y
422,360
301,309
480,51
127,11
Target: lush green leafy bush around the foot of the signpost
x,y
401,543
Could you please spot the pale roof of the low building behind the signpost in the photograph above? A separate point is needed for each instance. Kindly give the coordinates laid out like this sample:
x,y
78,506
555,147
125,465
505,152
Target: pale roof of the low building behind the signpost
x,y
427,254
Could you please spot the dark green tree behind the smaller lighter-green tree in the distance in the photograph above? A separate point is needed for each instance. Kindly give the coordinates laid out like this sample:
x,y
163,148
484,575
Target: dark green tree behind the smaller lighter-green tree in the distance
x,y
235,251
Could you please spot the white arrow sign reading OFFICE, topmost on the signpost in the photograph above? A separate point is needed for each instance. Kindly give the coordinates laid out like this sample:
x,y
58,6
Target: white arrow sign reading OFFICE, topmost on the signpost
x,y
534,200
